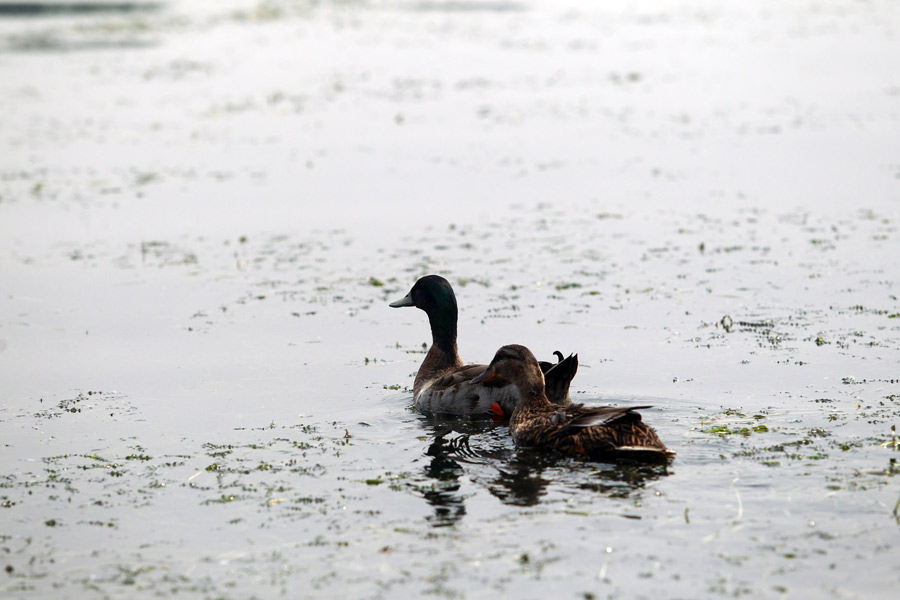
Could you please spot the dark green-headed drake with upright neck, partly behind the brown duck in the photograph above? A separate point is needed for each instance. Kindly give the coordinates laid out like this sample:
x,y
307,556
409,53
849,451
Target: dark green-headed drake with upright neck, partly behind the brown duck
x,y
442,383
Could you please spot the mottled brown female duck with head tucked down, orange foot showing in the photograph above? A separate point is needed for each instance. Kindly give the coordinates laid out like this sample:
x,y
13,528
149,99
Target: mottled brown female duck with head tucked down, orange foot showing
x,y
602,432
